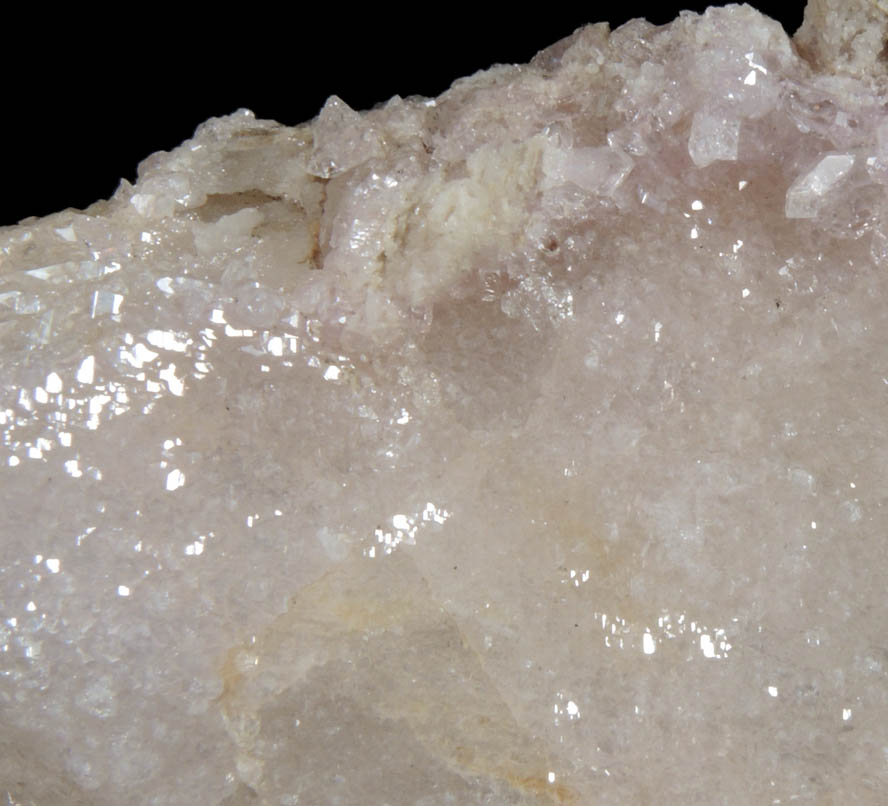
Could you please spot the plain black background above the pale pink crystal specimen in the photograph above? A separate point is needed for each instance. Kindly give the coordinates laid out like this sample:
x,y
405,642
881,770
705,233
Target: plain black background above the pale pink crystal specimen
x,y
88,97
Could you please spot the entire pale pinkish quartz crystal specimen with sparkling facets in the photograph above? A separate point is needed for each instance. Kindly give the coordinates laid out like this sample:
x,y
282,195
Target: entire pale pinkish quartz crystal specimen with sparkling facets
x,y
525,445
